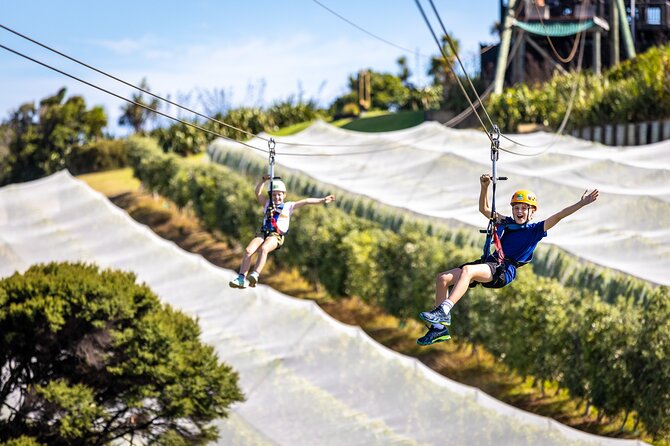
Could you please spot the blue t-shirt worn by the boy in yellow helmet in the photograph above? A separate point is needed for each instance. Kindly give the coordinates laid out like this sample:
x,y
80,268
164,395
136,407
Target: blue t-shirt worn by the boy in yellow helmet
x,y
519,244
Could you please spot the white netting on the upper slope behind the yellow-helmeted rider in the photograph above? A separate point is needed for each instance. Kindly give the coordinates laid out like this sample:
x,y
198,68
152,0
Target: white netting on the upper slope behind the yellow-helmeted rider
x,y
433,170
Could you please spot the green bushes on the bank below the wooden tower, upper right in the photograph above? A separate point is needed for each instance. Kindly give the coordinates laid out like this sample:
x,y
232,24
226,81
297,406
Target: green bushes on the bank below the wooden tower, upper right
x,y
636,90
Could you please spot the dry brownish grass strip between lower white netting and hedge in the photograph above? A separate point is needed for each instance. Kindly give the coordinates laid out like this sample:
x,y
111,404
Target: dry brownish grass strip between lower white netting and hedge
x,y
457,360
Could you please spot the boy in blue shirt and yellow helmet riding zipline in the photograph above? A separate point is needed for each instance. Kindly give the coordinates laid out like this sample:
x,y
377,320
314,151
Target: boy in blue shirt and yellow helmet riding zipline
x,y
518,237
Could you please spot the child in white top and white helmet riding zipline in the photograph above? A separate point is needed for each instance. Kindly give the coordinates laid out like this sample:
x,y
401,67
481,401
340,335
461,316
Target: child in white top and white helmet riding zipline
x,y
275,225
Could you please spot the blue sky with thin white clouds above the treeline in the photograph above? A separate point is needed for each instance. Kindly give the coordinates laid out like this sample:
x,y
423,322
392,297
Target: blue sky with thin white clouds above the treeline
x,y
255,51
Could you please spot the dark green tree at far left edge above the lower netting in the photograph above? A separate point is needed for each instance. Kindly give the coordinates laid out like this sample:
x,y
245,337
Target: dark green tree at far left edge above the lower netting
x,y
43,139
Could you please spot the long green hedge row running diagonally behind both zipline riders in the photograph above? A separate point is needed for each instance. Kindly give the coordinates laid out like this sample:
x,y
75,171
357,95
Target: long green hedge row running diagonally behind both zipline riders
x,y
614,355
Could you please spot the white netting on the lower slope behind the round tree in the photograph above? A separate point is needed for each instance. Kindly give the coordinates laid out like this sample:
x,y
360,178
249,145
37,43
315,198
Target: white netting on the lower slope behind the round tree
x,y
308,379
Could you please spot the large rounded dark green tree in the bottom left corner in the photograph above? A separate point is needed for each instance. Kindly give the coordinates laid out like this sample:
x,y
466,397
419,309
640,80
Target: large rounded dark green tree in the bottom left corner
x,y
88,357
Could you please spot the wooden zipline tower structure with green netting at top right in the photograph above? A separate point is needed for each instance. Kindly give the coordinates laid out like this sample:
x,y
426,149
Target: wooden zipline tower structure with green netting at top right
x,y
539,37
